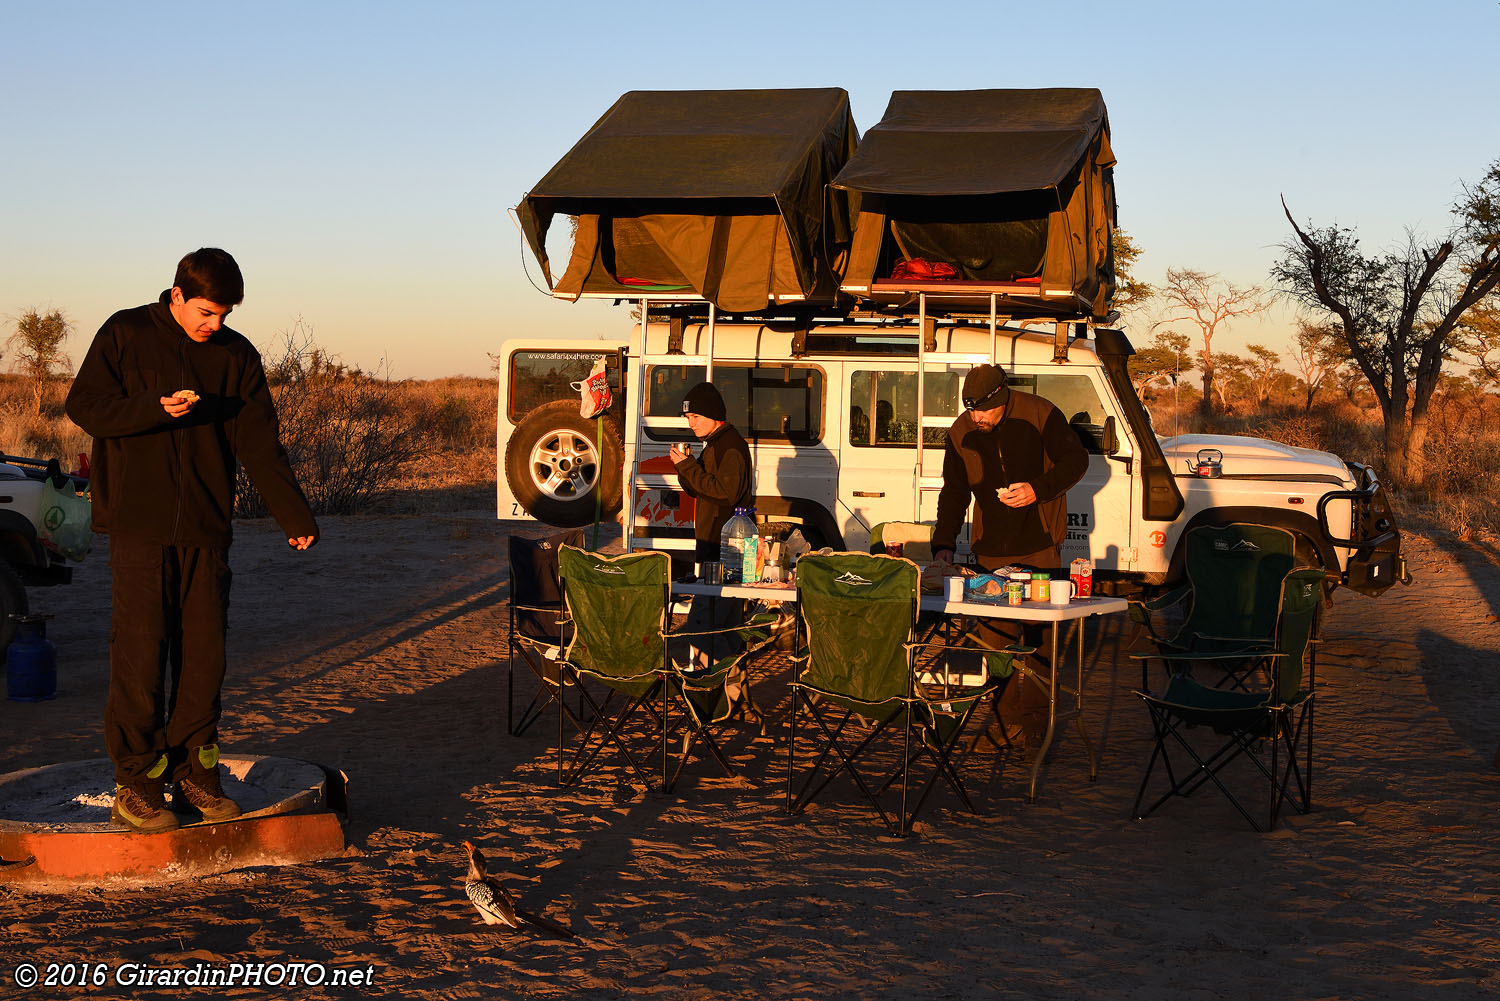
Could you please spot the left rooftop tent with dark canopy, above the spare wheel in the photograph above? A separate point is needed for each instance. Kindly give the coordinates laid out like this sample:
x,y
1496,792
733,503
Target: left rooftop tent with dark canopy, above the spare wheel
x,y
721,194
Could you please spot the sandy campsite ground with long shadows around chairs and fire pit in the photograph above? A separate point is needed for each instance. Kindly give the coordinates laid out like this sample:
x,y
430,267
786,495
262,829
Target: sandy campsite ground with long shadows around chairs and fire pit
x,y
382,652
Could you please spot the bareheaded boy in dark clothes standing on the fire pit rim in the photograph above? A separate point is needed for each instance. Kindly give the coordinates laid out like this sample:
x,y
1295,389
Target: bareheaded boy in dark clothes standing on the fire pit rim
x,y
176,403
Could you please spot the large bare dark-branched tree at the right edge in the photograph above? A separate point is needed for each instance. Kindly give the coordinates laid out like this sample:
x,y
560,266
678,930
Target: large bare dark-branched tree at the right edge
x,y
1400,310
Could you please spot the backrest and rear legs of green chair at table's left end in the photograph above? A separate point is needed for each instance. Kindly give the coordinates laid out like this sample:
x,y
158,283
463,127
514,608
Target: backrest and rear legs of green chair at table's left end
x,y
616,636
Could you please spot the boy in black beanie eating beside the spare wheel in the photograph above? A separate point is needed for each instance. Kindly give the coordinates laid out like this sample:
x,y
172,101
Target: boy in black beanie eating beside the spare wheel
x,y
719,481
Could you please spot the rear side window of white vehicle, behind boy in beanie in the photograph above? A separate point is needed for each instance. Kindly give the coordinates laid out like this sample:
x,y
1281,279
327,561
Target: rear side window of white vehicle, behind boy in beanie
x,y
767,403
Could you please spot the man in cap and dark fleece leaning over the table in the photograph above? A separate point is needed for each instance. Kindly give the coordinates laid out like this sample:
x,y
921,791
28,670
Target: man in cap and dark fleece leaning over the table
x,y
1016,457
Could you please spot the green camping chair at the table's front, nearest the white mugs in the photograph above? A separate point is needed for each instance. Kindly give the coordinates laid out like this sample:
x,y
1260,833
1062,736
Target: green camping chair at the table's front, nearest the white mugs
x,y
857,681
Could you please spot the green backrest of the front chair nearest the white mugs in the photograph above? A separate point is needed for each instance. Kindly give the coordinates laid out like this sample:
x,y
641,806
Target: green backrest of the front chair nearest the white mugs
x,y
859,612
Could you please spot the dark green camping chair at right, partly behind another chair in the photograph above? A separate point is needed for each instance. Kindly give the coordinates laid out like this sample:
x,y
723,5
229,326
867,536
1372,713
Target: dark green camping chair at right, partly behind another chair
x,y
1234,591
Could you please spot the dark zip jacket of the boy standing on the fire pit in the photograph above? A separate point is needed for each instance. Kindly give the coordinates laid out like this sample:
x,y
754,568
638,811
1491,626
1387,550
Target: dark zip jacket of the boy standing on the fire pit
x,y
172,481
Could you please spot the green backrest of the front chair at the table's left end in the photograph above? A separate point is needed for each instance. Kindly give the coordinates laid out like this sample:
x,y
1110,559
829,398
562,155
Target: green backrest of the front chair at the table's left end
x,y
619,607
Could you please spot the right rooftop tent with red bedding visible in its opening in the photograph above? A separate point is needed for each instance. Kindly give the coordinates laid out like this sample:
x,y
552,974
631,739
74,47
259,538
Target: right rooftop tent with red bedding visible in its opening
x,y
1013,188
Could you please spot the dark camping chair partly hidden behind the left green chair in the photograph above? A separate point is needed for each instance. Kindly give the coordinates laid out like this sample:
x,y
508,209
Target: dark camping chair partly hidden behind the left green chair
x,y
536,621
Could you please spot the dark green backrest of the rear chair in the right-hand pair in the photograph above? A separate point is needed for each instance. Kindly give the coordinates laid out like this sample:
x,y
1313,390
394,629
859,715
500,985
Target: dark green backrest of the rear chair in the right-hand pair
x,y
1237,574
